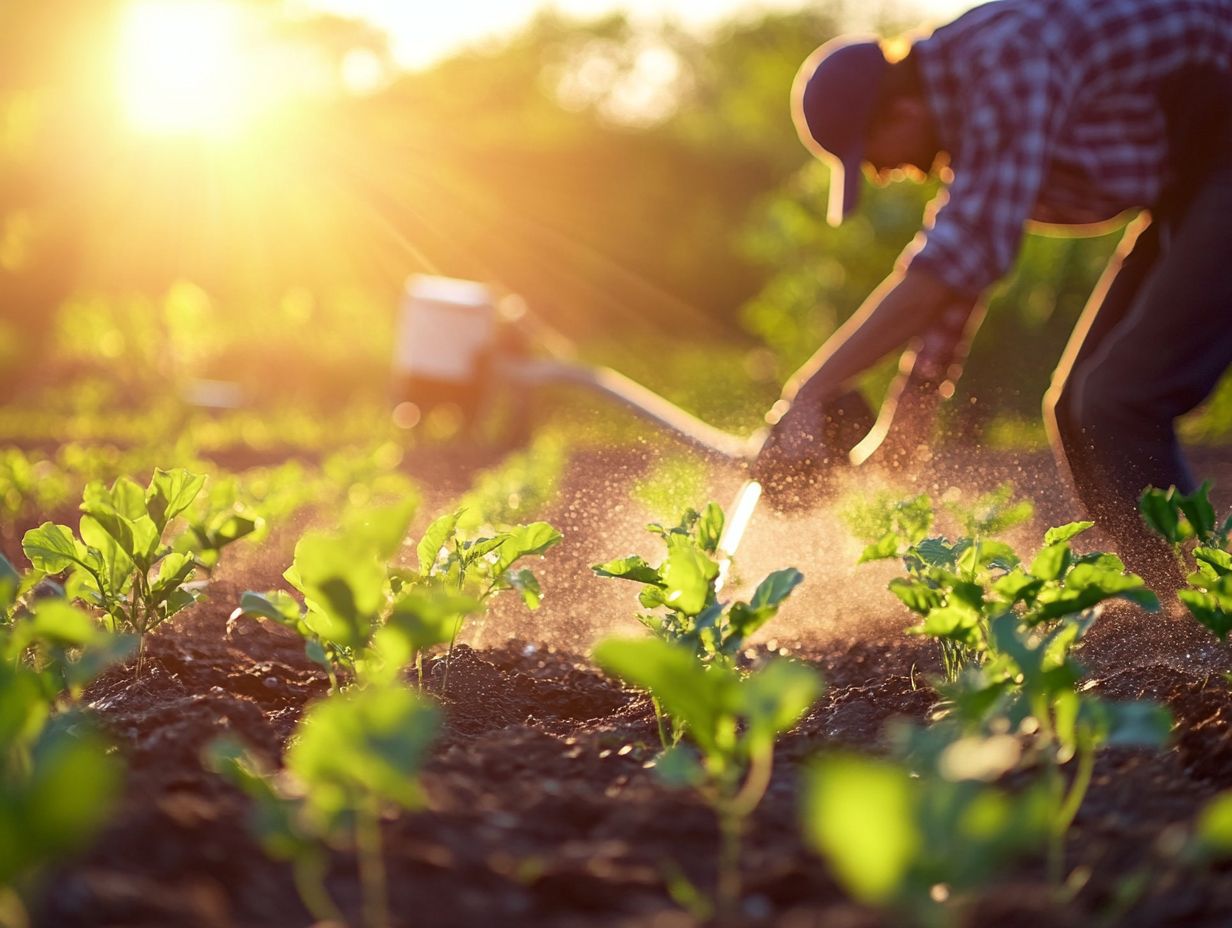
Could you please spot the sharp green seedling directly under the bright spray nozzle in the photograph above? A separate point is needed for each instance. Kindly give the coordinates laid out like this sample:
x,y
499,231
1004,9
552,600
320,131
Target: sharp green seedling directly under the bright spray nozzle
x,y
686,588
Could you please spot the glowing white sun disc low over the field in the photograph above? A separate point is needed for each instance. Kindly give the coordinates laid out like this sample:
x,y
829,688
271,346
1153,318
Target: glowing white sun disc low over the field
x,y
183,67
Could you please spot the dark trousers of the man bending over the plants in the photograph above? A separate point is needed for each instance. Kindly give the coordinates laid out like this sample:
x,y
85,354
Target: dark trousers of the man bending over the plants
x,y
1150,347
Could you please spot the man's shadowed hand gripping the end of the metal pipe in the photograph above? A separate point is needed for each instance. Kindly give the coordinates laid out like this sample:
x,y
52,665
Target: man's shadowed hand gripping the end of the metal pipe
x,y
809,439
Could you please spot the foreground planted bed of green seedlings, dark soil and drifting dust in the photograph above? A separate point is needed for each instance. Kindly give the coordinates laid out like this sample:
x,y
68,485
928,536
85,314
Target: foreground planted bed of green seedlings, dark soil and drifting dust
x,y
447,712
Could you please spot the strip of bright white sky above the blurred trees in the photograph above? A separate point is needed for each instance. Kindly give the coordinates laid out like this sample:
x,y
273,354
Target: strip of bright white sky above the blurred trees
x,y
426,30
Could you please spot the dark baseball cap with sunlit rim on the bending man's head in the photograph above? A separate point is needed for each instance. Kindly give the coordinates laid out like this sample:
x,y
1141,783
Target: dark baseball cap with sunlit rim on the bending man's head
x,y
832,103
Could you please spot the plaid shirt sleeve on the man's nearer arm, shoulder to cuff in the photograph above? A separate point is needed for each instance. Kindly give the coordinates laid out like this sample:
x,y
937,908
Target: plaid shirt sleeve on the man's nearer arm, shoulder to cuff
x,y
1012,115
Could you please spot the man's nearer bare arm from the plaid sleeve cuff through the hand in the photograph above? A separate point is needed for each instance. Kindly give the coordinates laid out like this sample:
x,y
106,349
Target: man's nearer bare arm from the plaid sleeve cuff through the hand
x,y
907,305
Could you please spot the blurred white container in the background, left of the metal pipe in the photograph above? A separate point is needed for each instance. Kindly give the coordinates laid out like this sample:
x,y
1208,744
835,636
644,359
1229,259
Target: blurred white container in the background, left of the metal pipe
x,y
444,330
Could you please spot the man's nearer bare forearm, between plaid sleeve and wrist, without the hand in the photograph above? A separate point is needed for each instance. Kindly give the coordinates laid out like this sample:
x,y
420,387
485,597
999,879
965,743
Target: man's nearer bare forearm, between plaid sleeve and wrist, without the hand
x,y
905,306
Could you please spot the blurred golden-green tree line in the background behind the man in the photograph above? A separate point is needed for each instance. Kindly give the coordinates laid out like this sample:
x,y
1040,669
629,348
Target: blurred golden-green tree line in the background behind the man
x,y
638,185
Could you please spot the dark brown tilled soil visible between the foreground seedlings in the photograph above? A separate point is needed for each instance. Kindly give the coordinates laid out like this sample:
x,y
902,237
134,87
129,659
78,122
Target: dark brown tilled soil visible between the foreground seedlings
x,y
543,812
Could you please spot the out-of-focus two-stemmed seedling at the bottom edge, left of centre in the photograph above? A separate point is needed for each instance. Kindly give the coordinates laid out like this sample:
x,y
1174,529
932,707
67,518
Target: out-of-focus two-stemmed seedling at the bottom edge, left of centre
x,y
355,759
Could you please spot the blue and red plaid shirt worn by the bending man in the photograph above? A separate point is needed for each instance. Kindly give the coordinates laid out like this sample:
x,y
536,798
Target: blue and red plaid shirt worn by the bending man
x,y
1049,112
